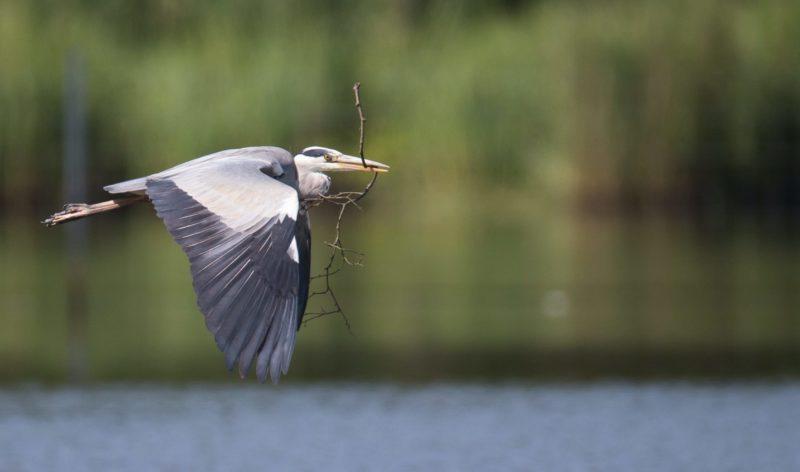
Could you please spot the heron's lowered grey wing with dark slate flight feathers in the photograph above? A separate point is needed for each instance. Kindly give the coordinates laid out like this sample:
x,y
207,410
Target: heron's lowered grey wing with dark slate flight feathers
x,y
236,222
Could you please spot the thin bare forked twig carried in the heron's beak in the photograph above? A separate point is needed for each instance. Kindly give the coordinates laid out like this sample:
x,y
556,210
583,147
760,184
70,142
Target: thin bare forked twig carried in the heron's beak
x,y
339,252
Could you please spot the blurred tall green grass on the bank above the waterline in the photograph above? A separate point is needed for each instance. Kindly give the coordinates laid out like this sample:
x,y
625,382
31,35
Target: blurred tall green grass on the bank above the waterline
x,y
632,104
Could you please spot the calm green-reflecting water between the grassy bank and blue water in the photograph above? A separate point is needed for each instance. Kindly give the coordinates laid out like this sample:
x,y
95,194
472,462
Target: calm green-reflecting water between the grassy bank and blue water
x,y
492,290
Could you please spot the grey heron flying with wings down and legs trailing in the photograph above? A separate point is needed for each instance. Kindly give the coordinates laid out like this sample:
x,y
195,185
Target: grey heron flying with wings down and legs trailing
x,y
241,217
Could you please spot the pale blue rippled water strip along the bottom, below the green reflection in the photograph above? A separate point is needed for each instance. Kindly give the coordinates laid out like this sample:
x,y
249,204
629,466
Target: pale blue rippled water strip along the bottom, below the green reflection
x,y
586,426
